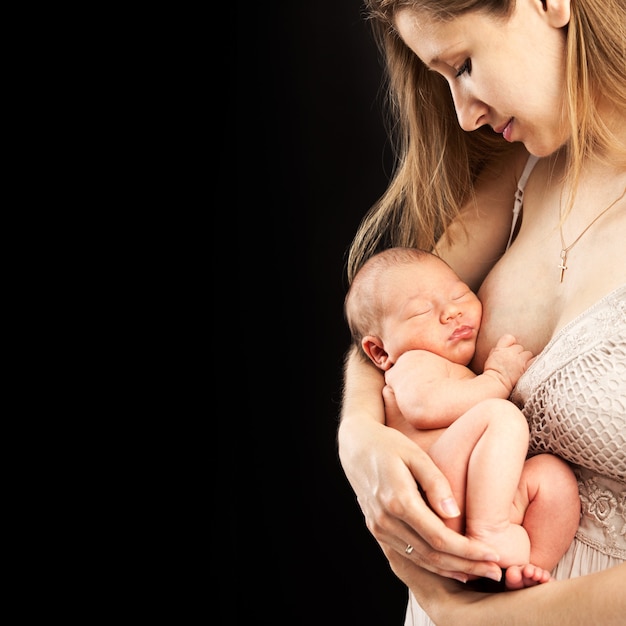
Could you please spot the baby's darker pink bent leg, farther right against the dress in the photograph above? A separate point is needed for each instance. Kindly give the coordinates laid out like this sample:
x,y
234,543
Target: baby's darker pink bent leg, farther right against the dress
x,y
548,506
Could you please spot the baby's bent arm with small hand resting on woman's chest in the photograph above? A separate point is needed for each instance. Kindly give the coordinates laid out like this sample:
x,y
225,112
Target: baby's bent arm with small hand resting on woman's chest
x,y
432,392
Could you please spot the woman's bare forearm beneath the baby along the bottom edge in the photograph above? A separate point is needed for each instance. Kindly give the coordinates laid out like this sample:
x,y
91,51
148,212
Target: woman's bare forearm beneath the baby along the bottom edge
x,y
593,599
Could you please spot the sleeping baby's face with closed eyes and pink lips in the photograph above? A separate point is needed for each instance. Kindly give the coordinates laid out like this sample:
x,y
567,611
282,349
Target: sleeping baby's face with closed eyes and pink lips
x,y
427,307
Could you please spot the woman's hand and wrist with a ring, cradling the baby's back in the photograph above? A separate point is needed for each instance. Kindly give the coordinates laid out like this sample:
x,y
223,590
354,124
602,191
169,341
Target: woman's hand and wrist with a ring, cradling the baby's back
x,y
385,467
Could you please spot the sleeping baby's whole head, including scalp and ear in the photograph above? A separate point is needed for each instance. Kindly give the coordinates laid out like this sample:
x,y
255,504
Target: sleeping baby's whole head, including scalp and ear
x,y
409,299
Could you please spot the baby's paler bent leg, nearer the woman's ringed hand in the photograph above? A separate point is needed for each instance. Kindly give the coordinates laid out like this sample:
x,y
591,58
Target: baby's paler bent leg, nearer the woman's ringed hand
x,y
483,454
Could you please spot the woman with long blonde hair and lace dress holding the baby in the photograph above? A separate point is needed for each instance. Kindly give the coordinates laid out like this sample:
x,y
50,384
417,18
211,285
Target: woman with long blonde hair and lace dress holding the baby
x,y
476,86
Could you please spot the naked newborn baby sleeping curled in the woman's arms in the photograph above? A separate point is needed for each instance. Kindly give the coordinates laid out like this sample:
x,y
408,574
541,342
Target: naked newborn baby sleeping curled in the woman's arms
x,y
418,322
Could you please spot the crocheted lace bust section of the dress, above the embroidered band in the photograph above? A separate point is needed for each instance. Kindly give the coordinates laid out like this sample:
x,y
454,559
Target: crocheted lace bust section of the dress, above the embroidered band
x,y
574,394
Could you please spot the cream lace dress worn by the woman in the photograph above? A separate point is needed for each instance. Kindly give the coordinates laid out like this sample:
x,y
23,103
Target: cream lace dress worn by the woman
x,y
574,398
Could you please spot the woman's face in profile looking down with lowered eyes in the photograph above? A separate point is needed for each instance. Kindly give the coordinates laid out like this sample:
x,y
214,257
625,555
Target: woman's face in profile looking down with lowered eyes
x,y
507,73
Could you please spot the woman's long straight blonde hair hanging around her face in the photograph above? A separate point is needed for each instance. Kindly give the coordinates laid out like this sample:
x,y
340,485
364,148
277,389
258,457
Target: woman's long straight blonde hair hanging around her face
x,y
435,161
